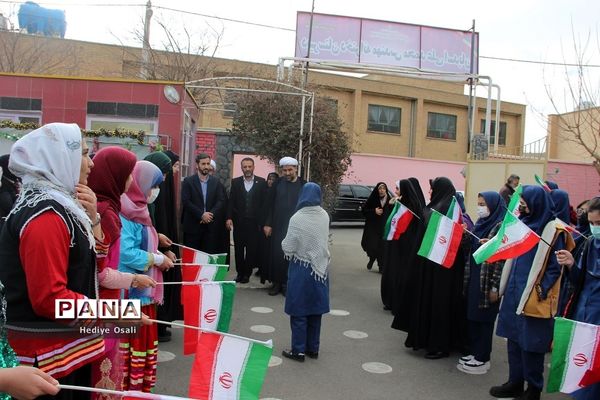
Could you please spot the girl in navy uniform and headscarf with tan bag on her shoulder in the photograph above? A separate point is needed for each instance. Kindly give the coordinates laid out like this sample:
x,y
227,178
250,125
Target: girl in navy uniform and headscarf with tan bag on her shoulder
x,y
526,317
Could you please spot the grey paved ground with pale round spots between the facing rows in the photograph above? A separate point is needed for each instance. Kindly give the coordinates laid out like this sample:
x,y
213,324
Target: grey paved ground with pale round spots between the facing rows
x,y
339,373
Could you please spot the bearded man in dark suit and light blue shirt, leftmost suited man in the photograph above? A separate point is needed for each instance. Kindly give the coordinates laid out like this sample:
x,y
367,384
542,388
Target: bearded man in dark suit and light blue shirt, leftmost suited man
x,y
203,199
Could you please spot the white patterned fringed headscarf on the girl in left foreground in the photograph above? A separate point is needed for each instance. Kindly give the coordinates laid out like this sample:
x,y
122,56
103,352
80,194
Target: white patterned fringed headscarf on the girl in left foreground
x,y
48,161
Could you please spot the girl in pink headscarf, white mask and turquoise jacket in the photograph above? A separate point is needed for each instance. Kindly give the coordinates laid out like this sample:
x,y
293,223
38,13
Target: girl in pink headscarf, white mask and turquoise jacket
x,y
139,254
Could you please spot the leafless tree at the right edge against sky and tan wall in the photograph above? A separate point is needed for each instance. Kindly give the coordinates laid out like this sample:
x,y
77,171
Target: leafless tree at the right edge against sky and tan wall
x,y
581,125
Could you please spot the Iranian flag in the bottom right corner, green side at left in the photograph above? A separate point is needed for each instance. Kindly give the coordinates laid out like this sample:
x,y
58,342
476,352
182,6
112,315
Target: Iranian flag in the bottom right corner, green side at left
x,y
575,356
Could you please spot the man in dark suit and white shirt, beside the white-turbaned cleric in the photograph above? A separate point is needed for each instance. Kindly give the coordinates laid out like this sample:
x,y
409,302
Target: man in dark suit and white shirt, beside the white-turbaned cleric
x,y
245,201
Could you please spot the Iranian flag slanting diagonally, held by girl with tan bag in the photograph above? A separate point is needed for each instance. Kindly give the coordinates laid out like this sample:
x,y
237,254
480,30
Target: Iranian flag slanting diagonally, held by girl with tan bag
x,y
513,238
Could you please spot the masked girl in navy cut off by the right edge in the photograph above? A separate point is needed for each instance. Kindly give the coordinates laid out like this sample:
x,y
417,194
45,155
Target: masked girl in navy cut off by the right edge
x,y
585,274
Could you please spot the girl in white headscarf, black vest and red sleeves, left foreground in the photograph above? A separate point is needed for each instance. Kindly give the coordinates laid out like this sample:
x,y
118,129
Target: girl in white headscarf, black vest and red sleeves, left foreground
x,y
47,252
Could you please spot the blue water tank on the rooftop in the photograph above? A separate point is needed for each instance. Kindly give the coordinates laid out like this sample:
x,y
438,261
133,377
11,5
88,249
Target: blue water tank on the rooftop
x,y
42,21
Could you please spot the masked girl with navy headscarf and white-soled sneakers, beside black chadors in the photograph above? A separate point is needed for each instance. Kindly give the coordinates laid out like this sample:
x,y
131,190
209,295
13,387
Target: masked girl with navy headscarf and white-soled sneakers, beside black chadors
x,y
482,282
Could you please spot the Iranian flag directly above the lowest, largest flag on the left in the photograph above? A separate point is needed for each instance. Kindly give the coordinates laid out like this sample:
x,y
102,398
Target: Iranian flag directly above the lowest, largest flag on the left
x,y
207,306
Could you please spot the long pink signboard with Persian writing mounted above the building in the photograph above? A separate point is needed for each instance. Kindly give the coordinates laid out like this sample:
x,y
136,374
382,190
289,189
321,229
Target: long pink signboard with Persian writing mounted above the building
x,y
357,40
